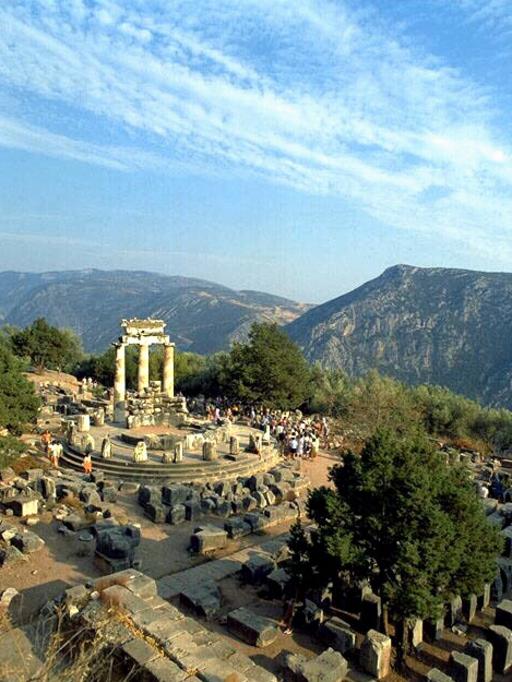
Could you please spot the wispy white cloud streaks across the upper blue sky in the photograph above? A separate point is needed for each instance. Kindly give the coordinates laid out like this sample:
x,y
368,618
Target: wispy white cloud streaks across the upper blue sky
x,y
324,97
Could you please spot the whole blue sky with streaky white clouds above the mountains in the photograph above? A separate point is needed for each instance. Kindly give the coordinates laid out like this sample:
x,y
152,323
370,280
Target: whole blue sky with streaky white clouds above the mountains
x,y
298,147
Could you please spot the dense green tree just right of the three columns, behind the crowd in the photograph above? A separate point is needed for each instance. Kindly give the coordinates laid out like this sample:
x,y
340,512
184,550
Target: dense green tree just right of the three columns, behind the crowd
x,y
269,369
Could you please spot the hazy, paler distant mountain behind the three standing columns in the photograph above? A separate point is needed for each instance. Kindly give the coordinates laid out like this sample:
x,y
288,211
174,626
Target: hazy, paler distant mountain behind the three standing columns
x,y
201,316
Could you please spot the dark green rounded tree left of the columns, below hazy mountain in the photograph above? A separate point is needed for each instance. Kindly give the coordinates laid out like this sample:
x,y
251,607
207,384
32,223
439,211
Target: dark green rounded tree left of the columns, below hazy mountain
x,y
46,346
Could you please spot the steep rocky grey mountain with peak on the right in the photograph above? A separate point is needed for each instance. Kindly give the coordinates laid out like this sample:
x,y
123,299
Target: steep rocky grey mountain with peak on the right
x,y
420,325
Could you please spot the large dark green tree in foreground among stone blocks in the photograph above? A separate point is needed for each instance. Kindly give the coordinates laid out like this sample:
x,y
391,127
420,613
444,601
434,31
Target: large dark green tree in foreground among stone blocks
x,y
401,518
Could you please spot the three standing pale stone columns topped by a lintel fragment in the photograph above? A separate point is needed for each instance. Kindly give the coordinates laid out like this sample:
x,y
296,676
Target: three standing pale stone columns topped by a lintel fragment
x,y
153,402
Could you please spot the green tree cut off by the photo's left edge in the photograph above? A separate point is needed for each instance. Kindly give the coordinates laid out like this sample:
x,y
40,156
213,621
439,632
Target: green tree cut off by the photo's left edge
x,y
18,402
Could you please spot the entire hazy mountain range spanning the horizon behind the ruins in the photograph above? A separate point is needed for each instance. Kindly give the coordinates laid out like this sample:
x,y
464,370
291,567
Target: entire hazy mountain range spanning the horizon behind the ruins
x,y
421,325
